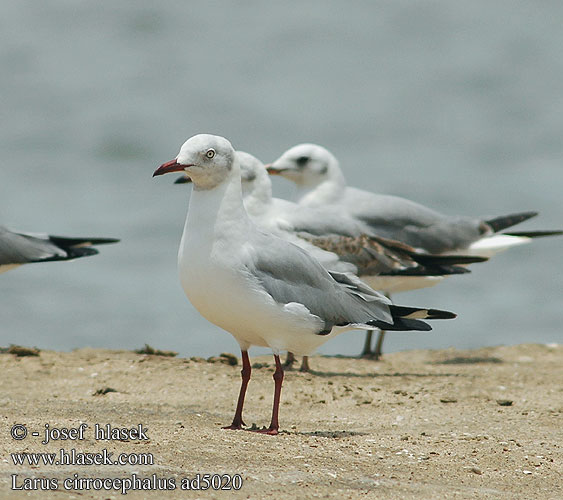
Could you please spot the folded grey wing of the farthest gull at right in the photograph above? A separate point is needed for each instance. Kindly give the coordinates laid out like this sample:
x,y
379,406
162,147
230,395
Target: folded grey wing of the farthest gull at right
x,y
412,223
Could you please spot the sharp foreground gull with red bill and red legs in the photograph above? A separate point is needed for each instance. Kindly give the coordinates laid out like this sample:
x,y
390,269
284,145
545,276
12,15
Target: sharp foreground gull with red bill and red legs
x,y
262,289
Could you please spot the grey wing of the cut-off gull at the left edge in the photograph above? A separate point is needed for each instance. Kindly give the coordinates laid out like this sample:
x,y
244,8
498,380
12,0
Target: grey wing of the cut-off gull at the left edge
x,y
19,248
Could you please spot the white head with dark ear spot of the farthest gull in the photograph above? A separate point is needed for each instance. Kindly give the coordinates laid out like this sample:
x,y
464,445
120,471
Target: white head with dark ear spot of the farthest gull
x,y
306,165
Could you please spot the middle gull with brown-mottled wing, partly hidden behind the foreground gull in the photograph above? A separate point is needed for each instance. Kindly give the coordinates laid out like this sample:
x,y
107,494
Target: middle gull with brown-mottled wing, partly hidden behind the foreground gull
x,y
338,241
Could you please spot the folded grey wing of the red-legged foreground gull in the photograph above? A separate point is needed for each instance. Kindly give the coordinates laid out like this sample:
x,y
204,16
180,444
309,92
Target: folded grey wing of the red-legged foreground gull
x,y
289,274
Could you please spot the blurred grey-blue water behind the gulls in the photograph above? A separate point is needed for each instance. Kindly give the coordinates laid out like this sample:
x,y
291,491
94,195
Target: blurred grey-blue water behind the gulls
x,y
458,105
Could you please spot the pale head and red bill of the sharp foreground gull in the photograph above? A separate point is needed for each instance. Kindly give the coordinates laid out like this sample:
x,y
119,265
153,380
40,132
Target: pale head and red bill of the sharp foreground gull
x,y
206,159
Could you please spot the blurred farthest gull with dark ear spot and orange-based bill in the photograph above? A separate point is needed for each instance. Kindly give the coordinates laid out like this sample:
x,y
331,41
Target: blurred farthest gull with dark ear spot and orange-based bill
x,y
321,184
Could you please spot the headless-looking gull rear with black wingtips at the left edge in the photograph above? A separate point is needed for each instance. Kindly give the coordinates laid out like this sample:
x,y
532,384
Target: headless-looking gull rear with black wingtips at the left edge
x,y
24,248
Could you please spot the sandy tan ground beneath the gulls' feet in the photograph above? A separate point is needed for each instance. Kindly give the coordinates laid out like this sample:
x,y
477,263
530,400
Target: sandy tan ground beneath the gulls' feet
x,y
421,424
